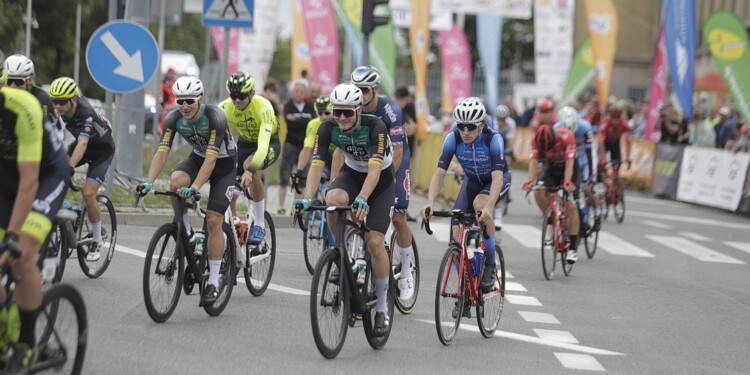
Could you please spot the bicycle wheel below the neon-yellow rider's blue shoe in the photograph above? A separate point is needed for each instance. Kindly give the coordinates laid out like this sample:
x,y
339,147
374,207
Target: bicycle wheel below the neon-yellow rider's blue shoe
x,y
261,260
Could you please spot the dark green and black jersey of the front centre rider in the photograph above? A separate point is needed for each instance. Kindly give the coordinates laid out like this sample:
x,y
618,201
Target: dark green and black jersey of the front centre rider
x,y
367,144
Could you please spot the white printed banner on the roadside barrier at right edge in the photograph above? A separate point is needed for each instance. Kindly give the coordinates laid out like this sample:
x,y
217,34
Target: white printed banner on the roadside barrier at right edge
x,y
712,177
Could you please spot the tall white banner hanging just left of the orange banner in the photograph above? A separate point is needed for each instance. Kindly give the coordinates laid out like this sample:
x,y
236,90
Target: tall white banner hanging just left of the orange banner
x,y
553,43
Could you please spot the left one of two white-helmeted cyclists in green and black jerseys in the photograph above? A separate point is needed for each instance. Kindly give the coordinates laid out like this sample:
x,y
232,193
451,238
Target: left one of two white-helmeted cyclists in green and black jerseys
x,y
214,160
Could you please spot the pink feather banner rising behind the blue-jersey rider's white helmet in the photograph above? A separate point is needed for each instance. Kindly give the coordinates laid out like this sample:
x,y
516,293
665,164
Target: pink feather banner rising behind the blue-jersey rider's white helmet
x,y
456,59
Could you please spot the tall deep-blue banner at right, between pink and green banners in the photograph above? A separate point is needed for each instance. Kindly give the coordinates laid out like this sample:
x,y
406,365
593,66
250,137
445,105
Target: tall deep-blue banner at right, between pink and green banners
x,y
679,37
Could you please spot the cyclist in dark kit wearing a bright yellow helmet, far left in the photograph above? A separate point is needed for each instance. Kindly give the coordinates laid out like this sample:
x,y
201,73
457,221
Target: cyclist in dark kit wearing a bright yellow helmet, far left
x,y
94,146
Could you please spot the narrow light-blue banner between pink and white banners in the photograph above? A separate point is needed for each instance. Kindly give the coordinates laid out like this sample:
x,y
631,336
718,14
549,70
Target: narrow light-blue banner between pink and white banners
x,y
489,40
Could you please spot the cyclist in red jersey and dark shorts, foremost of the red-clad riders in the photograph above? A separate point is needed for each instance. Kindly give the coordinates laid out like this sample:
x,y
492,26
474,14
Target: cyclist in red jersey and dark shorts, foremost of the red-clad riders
x,y
558,146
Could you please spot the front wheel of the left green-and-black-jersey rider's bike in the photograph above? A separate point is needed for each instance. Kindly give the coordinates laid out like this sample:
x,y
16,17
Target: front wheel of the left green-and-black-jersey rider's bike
x,y
163,273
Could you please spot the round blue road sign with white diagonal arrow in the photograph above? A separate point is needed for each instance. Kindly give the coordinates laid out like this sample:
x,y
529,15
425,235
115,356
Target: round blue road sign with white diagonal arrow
x,y
122,56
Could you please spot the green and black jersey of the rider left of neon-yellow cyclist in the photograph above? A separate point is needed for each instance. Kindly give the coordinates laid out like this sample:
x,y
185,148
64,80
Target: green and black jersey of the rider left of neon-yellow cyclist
x,y
209,135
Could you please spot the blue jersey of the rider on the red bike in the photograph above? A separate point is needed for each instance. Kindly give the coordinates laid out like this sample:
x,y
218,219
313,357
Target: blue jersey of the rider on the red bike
x,y
478,158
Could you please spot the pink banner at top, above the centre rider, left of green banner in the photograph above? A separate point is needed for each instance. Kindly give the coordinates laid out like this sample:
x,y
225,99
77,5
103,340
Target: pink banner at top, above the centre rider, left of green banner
x,y
322,41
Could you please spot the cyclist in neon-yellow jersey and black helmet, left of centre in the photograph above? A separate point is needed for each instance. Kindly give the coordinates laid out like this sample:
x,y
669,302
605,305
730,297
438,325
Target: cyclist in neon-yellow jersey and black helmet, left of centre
x,y
257,145
